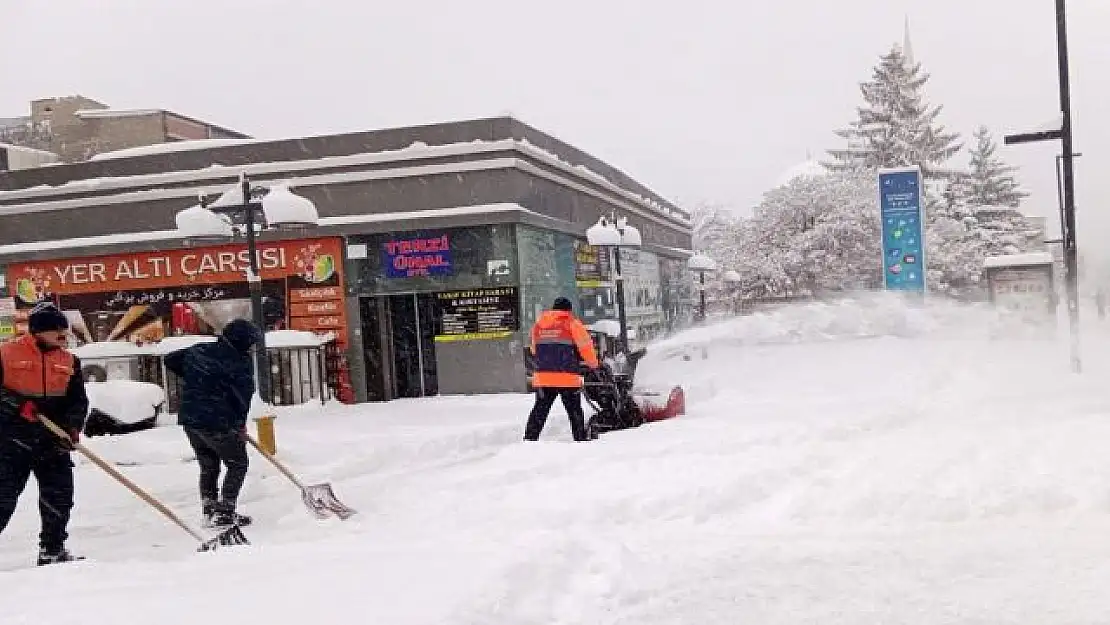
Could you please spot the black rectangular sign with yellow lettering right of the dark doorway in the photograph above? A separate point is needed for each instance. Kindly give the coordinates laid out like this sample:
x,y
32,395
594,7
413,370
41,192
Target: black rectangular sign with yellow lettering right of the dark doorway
x,y
478,315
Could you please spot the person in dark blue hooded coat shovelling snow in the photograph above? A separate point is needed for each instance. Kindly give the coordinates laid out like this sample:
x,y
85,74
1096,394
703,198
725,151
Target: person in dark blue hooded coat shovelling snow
x,y
216,399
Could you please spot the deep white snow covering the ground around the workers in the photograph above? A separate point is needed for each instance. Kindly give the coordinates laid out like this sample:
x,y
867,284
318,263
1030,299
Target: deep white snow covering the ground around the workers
x,y
855,463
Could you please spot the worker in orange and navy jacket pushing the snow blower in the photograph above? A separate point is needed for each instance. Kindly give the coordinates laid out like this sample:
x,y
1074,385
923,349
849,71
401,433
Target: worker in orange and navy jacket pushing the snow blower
x,y
560,347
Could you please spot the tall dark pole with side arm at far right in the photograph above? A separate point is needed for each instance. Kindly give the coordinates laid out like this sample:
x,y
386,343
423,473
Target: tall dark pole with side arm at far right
x,y
1064,134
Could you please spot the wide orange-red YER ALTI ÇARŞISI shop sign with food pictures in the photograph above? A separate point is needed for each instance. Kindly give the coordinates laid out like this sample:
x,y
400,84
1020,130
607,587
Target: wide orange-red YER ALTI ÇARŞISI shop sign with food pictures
x,y
135,297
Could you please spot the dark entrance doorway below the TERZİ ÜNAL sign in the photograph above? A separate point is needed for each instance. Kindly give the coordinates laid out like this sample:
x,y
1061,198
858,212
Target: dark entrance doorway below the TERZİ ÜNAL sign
x,y
399,341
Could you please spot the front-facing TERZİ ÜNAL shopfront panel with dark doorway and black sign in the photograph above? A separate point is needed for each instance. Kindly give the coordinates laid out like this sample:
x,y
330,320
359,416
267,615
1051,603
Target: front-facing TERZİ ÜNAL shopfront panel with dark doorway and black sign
x,y
433,304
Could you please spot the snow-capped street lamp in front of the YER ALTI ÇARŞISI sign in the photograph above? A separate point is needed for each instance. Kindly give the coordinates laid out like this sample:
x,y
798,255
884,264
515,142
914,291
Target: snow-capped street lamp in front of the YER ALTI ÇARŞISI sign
x,y
250,208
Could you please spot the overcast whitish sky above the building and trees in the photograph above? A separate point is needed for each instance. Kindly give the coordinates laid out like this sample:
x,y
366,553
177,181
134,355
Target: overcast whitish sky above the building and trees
x,y
700,100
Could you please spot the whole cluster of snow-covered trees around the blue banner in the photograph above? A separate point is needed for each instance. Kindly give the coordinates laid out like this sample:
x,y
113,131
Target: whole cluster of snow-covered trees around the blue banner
x,y
818,231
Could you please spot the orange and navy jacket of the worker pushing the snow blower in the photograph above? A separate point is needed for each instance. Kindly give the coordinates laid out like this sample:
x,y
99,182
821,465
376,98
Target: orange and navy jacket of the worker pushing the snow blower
x,y
560,346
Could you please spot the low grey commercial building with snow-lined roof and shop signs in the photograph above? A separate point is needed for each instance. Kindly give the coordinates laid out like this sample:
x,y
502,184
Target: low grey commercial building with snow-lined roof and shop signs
x,y
437,248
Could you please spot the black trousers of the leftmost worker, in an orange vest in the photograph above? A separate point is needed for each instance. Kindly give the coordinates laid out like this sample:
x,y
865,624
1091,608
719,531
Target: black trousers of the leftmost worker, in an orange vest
x,y
38,453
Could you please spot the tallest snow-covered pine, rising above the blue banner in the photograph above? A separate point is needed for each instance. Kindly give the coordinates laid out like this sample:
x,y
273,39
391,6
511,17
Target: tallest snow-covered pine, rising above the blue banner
x,y
896,127
